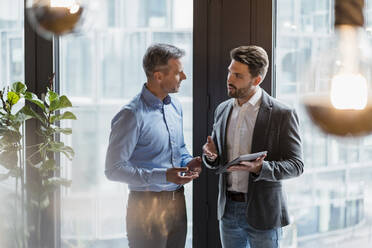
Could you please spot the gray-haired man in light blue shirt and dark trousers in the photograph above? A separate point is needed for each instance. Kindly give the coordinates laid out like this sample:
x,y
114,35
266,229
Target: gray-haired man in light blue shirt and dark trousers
x,y
147,151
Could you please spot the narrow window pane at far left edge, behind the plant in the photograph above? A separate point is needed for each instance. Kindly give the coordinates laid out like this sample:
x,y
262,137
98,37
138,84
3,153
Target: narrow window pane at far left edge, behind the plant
x,y
11,70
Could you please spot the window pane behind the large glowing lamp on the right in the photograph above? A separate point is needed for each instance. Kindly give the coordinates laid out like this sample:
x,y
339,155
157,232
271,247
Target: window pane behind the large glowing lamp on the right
x,y
331,203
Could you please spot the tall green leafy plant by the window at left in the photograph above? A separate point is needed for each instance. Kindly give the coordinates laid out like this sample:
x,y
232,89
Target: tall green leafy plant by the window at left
x,y
48,112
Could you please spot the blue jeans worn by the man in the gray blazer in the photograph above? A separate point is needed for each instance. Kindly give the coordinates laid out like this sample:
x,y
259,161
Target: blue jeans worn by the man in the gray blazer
x,y
236,233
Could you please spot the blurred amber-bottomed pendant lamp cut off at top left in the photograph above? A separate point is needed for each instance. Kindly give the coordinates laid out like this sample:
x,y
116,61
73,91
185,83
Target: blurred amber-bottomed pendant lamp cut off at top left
x,y
55,17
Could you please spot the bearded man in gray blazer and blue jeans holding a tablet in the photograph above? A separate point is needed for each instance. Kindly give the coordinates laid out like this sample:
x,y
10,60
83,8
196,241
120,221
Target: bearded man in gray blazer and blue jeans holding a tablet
x,y
251,204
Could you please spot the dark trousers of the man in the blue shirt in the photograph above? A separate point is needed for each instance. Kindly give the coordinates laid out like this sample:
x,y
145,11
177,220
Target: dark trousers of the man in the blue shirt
x,y
156,219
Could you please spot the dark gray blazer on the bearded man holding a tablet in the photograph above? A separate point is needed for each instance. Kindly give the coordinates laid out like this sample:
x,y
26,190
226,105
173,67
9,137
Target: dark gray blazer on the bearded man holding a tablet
x,y
276,131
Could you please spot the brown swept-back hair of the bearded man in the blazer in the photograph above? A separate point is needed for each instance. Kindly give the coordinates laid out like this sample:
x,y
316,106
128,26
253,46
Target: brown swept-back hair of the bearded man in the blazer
x,y
254,57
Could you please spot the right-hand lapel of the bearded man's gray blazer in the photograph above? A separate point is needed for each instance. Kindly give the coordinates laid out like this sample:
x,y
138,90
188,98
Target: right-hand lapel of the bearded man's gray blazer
x,y
262,125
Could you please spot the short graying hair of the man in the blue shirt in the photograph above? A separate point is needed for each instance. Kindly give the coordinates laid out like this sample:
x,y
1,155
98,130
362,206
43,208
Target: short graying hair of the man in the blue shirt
x,y
157,55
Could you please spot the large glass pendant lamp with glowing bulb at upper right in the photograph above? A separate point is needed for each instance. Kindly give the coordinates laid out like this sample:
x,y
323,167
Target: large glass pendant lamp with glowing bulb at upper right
x,y
337,92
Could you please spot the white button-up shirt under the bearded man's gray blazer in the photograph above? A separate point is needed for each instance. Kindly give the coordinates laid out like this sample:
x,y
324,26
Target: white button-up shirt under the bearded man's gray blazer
x,y
239,138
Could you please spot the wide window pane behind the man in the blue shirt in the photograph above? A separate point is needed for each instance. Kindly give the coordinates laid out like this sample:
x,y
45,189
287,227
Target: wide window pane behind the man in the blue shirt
x,y
101,71
